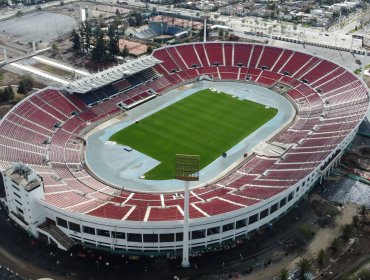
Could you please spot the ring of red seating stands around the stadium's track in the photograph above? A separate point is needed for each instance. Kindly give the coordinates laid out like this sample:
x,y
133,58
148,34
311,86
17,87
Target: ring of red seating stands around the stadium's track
x,y
330,103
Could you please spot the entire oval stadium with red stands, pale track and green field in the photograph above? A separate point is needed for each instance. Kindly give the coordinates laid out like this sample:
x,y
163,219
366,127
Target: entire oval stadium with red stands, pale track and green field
x,y
58,185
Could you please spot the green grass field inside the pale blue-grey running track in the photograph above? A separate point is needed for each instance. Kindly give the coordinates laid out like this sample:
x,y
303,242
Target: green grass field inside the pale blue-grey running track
x,y
205,124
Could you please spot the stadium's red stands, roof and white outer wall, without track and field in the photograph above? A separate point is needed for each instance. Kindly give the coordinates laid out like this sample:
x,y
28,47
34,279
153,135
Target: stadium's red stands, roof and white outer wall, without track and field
x,y
49,192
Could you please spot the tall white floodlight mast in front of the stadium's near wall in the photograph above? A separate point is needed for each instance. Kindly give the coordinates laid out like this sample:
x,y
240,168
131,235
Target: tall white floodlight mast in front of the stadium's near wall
x,y
187,169
